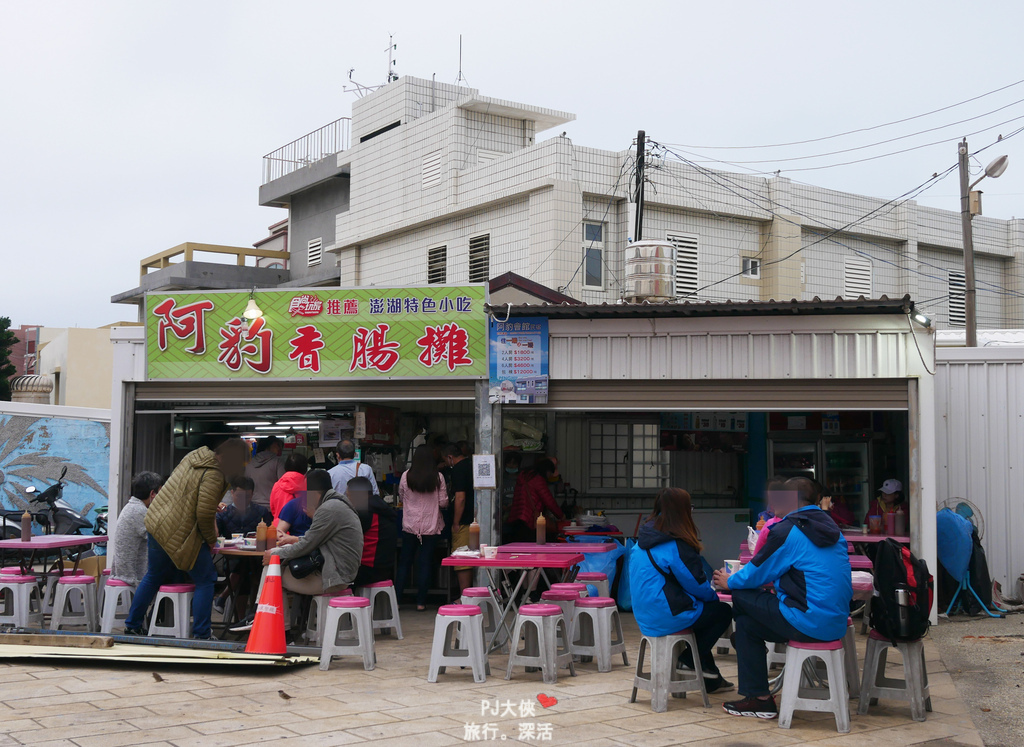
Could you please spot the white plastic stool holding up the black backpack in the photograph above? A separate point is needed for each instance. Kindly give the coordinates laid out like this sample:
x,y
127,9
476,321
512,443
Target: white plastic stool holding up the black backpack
x,y
914,687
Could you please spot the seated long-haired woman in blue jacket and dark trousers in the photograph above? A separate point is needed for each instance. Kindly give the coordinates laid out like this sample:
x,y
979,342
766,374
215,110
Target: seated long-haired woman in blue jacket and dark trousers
x,y
671,590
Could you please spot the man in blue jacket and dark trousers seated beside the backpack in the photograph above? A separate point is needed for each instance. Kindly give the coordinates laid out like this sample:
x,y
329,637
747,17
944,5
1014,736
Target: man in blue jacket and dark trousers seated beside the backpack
x,y
806,560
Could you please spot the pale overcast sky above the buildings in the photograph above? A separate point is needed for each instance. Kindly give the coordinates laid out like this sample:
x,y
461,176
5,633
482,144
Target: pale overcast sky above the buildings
x,y
130,128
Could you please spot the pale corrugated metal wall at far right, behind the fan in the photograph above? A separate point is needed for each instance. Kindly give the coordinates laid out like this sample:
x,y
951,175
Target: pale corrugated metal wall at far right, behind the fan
x,y
980,446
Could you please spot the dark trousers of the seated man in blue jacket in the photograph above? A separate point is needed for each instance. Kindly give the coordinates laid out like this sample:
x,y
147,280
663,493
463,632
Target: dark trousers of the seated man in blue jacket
x,y
758,620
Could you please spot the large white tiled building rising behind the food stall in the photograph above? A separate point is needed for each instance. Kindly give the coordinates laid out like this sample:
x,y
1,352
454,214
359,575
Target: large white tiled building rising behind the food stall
x,y
444,185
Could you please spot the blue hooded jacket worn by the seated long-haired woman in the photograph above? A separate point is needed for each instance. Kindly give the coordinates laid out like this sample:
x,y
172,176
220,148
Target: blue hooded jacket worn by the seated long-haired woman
x,y
665,606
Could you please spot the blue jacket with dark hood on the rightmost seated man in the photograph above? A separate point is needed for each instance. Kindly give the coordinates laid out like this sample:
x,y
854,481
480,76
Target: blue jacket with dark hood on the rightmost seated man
x,y
806,558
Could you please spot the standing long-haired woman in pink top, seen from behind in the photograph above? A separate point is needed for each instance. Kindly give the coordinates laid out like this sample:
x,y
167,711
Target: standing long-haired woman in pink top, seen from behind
x,y
423,494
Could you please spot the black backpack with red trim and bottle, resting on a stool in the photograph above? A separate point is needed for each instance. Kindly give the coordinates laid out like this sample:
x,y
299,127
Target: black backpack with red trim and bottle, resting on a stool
x,y
899,571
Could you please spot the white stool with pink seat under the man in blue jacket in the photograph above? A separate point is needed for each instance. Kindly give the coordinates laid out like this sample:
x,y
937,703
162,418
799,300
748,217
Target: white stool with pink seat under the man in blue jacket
x,y
834,699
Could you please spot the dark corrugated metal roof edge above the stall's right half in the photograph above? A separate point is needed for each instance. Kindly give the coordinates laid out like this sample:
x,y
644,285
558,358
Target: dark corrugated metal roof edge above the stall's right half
x,y
815,307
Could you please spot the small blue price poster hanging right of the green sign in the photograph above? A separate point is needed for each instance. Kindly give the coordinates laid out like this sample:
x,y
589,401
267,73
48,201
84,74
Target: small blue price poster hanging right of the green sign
x,y
520,361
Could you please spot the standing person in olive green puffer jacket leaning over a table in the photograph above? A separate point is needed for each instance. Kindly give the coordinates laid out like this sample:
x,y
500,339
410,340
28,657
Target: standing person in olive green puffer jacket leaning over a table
x,y
183,527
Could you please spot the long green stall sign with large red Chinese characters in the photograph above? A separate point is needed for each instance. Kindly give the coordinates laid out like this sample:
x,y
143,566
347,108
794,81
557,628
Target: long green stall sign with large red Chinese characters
x,y
323,334
